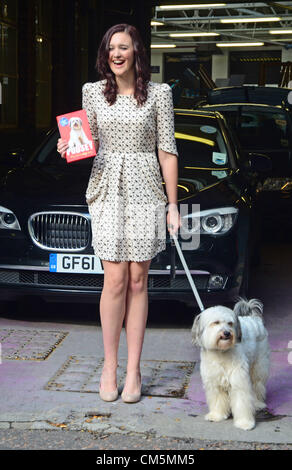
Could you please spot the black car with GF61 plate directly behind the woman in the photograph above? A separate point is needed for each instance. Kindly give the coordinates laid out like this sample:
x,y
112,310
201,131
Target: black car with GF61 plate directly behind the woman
x,y
45,231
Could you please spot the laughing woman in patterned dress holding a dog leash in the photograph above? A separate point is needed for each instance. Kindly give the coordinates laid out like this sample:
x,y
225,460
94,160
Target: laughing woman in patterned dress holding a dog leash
x,y
128,114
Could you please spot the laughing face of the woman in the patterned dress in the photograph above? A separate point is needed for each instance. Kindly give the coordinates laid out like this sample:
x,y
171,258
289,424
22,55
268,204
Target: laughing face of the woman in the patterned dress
x,y
121,53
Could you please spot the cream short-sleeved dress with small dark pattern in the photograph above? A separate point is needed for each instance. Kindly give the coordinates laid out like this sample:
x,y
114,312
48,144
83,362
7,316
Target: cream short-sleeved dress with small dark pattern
x,y
125,195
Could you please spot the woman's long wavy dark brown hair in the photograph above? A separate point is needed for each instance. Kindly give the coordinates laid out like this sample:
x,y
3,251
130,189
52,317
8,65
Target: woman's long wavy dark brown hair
x,y
141,64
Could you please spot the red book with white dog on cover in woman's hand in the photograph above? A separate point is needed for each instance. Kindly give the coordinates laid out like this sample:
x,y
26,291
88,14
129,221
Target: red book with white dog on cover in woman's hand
x,y
74,127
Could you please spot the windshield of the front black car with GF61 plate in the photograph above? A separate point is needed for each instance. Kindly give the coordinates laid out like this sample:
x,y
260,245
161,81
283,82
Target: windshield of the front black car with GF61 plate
x,y
200,142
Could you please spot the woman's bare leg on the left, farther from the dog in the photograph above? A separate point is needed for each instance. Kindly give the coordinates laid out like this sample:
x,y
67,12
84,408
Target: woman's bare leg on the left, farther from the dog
x,y
112,312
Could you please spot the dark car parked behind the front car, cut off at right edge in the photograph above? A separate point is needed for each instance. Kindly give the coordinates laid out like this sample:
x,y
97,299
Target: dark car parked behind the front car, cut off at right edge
x,y
261,119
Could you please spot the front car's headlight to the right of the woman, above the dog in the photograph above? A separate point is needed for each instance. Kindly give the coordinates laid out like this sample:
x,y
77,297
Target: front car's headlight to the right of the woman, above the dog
x,y
212,221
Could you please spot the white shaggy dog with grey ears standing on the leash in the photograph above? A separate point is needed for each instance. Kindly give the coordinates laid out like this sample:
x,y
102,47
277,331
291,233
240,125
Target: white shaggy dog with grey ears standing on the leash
x,y
234,361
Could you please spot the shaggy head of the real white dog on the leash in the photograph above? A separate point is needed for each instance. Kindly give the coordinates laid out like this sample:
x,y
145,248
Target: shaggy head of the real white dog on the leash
x,y
216,328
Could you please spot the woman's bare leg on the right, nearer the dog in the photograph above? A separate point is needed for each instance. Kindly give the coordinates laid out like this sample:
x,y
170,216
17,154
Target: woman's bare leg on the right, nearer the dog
x,y
135,322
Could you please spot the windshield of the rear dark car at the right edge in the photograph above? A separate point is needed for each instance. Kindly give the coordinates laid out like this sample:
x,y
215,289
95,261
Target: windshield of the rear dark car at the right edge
x,y
259,129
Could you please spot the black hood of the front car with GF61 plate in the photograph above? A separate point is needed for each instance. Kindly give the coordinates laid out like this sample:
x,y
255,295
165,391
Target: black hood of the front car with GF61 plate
x,y
48,186
